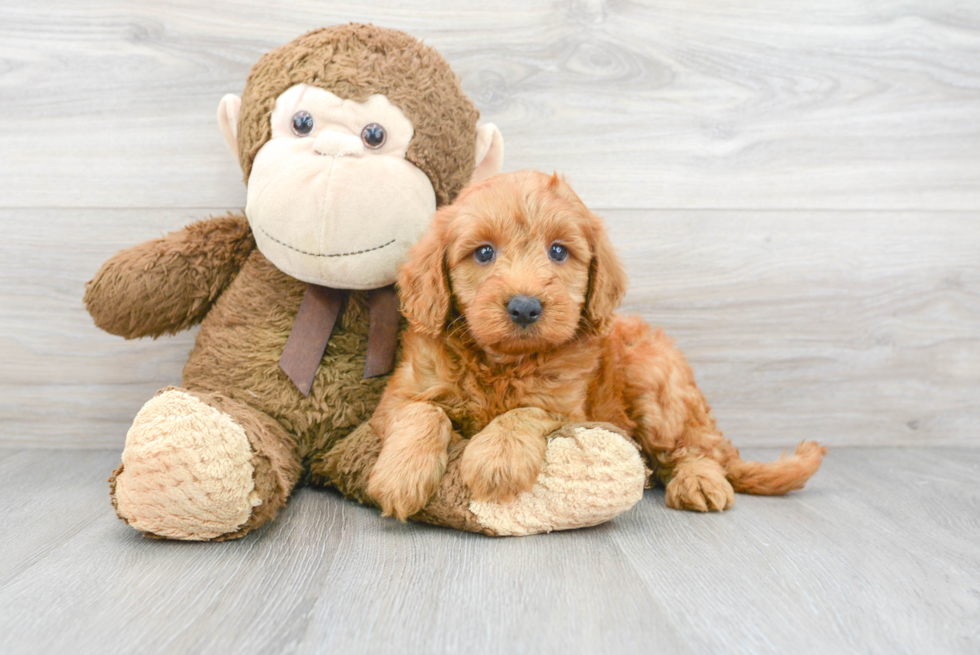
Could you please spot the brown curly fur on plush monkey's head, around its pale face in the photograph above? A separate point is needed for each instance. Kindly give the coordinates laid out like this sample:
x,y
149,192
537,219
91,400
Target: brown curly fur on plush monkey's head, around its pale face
x,y
357,61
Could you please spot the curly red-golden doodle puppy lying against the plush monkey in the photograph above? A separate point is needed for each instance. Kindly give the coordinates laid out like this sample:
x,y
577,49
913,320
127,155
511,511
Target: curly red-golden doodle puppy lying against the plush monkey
x,y
510,298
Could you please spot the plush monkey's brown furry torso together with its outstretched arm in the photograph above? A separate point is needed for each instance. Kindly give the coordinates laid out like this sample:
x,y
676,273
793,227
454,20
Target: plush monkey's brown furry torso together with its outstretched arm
x,y
246,321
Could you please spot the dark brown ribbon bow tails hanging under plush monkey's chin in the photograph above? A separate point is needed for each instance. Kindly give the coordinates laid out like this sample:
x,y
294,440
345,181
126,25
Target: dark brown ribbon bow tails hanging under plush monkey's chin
x,y
315,322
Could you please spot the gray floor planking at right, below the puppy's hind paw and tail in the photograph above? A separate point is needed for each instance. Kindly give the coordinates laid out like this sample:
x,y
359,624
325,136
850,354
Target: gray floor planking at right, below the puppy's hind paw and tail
x,y
831,569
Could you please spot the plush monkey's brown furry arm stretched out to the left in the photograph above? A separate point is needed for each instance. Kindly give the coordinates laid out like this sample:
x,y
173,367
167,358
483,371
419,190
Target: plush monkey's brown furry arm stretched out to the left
x,y
168,284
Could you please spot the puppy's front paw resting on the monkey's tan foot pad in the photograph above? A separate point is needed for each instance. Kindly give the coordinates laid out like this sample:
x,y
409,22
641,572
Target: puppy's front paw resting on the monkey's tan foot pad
x,y
498,466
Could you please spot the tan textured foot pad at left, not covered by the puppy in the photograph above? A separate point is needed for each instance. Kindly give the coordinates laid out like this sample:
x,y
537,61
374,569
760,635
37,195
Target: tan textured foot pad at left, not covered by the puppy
x,y
187,471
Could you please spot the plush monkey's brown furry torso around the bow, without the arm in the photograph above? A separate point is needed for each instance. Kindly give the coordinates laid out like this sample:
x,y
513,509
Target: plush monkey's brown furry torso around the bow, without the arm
x,y
237,354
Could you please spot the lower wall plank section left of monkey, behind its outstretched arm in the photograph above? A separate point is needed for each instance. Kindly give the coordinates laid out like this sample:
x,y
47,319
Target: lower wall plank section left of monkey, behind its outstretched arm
x,y
65,382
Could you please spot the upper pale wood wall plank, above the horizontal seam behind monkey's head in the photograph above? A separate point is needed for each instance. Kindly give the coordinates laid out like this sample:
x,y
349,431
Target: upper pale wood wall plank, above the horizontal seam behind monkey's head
x,y
837,104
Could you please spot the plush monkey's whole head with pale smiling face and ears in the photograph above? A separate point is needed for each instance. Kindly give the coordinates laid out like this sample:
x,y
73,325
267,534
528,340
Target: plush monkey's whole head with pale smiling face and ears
x,y
350,137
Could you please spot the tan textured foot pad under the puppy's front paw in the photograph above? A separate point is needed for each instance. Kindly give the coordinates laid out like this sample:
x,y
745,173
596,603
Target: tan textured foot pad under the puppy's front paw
x,y
589,476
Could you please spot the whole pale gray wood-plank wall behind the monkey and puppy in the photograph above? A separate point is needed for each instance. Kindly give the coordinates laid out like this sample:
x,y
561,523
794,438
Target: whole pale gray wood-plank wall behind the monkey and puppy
x,y
794,186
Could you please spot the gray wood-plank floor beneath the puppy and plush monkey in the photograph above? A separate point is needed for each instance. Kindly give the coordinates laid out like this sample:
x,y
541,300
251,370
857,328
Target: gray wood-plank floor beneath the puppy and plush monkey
x,y
880,554
